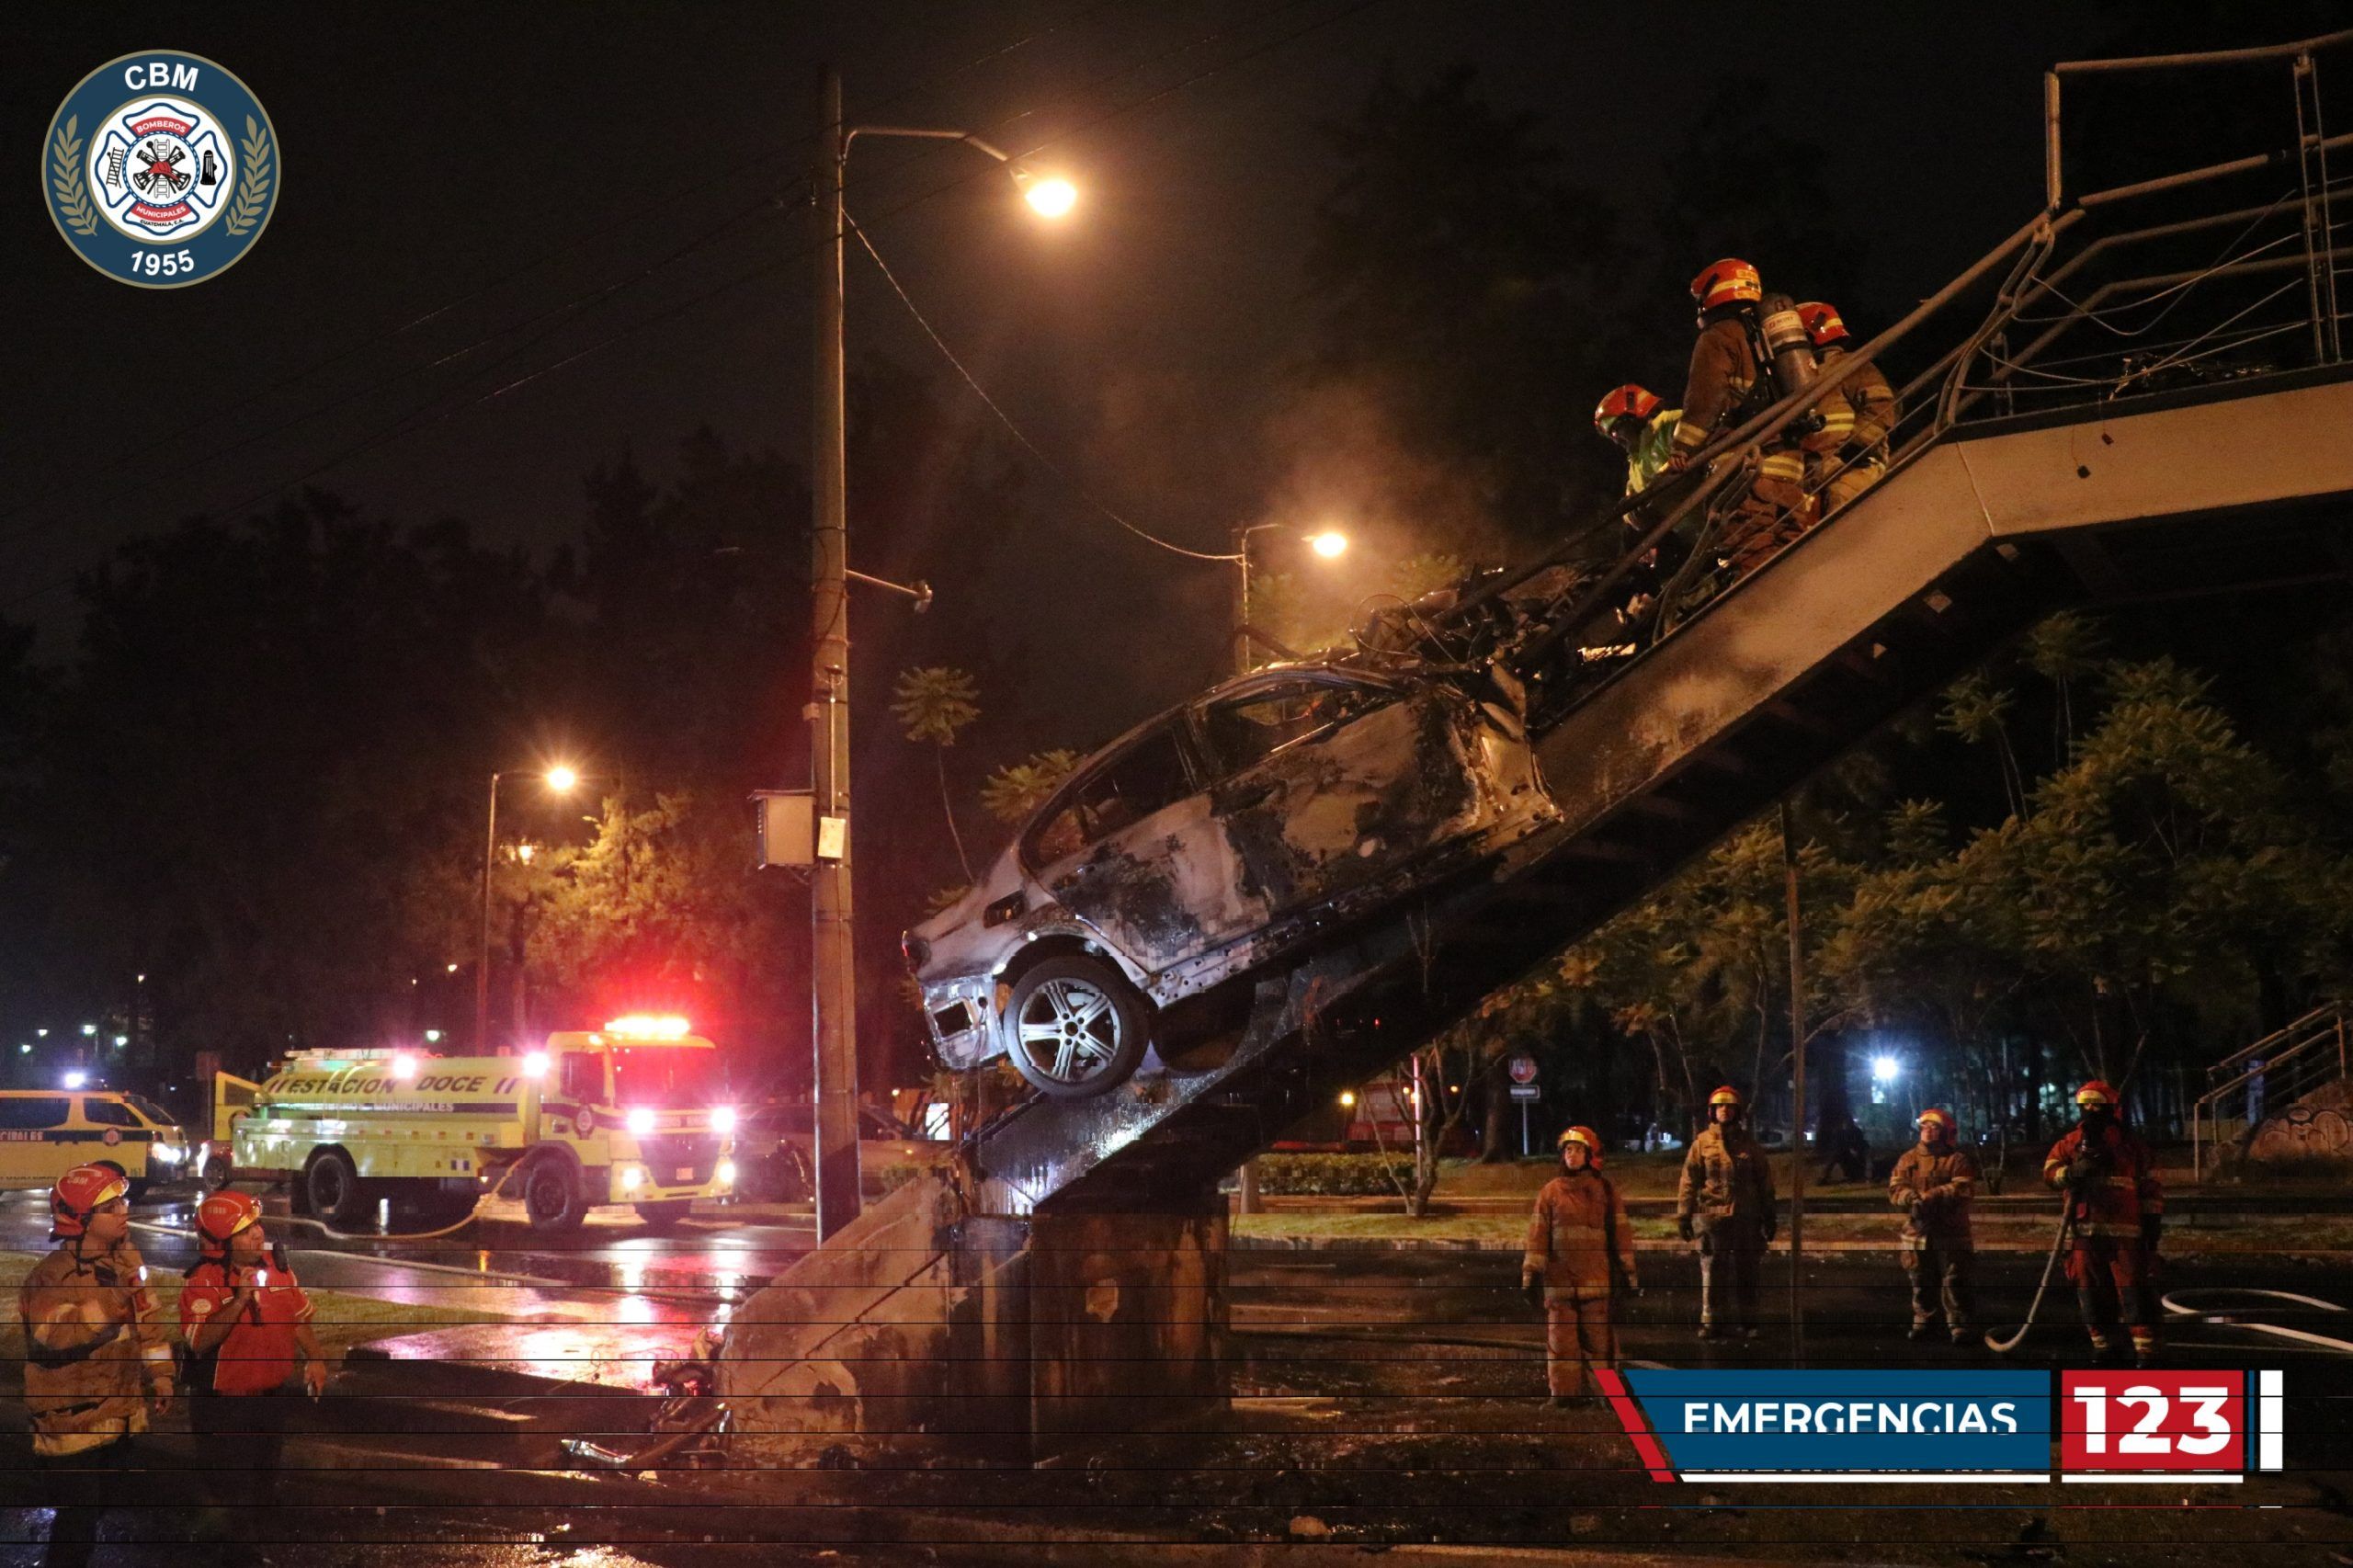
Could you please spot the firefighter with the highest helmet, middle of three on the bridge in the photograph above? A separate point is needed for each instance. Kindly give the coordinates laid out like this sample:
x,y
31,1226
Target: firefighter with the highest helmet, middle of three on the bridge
x,y
1726,385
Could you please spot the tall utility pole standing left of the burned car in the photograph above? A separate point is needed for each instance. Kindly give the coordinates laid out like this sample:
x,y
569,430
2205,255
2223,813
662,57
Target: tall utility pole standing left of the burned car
x,y
832,957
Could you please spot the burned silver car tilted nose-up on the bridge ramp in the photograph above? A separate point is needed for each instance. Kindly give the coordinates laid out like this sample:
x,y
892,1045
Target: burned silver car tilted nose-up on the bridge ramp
x,y
1211,844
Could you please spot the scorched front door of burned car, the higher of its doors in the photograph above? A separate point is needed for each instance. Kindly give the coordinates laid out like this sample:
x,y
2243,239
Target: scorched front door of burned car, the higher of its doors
x,y
1328,785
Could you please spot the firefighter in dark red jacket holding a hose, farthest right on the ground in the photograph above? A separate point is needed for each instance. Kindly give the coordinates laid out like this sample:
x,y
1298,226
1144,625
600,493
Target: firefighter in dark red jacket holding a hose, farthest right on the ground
x,y
2117,1214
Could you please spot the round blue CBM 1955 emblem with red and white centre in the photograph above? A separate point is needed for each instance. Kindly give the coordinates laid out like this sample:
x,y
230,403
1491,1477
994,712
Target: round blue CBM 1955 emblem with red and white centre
x,y
161,168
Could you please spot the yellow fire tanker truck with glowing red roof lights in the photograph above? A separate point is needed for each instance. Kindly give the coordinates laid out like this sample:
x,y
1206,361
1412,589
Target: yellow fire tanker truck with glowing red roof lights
x,y
627,1115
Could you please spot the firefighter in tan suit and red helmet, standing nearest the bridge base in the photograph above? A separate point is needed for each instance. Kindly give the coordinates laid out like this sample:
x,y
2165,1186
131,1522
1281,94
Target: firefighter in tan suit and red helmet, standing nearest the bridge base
x,y
1580,1256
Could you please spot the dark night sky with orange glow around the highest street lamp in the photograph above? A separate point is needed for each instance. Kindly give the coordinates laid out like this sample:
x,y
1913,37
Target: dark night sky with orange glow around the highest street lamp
x,y
519,241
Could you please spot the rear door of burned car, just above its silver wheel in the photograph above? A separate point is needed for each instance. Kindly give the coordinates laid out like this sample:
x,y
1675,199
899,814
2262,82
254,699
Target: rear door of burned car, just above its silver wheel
x,y
1133,851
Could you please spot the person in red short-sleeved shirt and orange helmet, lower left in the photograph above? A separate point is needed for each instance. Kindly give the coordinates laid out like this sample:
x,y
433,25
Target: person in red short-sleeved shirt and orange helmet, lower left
x,y
246,1317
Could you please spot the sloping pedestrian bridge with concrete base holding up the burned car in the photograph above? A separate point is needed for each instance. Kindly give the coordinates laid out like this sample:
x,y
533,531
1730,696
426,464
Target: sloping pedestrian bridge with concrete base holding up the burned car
x,y
2095,418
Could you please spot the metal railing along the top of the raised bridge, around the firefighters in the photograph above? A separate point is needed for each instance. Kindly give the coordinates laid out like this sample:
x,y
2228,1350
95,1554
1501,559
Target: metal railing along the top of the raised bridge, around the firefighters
x,y
2201,277
